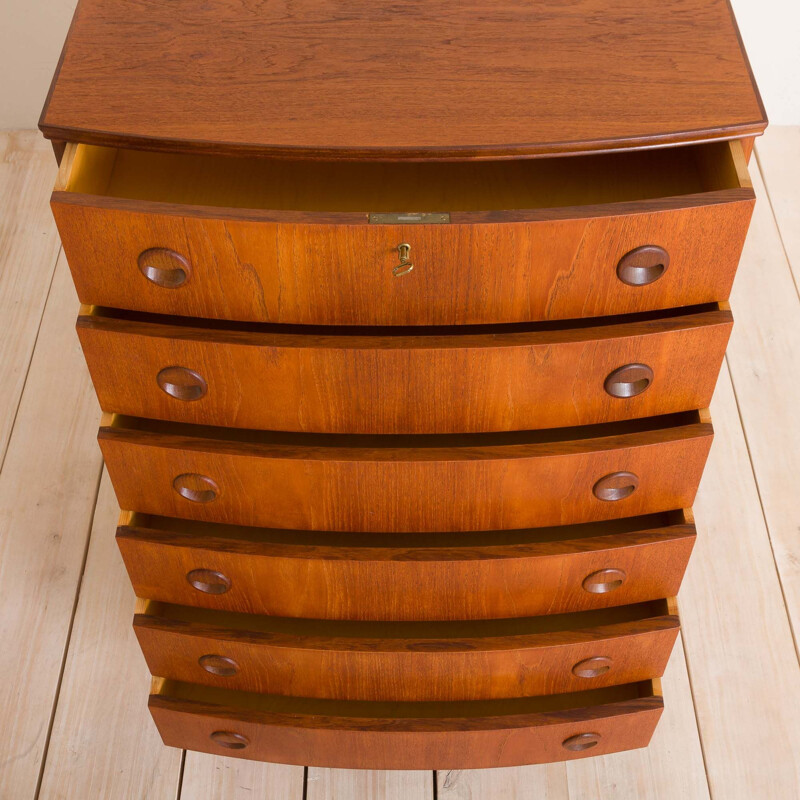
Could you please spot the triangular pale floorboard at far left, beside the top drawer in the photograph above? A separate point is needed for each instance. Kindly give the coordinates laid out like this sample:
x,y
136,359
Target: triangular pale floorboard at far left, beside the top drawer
x,y
29,246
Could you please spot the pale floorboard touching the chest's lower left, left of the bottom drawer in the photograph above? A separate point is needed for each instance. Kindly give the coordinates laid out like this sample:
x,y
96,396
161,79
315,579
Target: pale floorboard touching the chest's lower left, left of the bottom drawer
x,y
104,743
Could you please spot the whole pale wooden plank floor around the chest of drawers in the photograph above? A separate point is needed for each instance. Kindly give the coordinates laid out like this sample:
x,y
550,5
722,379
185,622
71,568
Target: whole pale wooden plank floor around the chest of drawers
x,y
73,684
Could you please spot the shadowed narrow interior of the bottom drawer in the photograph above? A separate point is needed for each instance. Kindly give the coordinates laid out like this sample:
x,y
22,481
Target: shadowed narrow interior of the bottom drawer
x,y
237,700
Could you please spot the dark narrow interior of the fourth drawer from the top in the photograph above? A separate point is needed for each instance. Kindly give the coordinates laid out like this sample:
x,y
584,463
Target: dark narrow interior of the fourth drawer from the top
x,y
469,545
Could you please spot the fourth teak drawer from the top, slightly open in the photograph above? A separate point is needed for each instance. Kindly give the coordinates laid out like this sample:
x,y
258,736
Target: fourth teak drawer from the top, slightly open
x,y
347,576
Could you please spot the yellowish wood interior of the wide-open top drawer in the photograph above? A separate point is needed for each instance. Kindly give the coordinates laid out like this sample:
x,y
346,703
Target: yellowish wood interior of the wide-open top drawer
x,y
320,186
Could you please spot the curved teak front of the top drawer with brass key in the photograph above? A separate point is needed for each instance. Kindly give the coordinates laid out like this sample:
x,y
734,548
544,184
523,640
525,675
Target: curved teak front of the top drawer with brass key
x,y
342,274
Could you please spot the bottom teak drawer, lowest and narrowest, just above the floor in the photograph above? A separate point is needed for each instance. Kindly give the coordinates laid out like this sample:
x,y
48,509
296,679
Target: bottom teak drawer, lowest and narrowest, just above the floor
x,y
387,735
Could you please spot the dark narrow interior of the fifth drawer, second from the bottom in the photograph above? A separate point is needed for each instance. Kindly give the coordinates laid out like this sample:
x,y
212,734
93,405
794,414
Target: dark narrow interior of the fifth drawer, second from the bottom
x,y
379,635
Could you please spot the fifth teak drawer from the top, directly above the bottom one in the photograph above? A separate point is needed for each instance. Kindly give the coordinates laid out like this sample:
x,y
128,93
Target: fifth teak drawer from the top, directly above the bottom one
x,y
408,661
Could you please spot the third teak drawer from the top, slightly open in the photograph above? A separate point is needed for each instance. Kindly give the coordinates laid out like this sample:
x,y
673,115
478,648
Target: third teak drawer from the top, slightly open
x,y
406,483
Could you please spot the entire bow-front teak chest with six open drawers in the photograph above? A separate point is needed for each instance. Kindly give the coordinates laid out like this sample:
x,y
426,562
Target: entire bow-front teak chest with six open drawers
x,y
404,319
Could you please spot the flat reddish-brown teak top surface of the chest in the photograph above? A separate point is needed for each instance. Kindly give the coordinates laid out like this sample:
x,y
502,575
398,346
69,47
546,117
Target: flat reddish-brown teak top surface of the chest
x,y
412,79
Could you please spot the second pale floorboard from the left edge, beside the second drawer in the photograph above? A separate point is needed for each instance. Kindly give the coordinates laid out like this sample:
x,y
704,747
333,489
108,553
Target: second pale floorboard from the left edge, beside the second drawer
x,y
47,495
